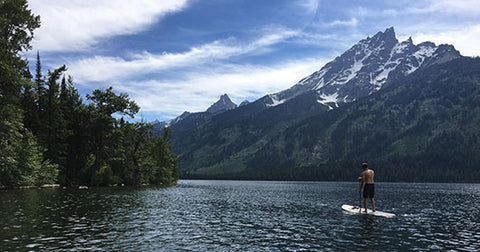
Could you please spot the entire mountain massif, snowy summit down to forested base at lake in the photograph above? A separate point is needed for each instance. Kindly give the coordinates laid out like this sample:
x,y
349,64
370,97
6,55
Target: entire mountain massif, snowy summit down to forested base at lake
x,y
325,124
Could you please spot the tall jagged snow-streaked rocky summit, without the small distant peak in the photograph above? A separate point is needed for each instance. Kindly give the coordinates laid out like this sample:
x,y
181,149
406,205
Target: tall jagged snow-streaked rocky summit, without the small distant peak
x,y
365,68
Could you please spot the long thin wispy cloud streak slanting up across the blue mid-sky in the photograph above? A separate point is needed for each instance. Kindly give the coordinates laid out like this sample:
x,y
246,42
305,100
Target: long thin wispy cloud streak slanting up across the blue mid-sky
x,y
100,68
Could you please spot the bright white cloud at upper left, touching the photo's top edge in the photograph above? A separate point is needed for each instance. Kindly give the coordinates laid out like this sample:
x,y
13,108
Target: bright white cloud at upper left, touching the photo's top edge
x,y
76,25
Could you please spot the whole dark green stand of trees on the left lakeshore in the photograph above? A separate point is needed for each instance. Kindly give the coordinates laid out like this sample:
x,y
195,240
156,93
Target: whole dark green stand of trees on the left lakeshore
x,y
48,134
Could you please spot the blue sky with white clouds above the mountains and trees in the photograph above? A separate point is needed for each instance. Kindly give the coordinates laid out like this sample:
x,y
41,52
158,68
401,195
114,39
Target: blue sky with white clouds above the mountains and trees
x,y
172,56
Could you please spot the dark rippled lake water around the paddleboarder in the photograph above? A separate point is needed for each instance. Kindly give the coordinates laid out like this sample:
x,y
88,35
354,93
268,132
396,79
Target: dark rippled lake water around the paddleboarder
x,y
205,215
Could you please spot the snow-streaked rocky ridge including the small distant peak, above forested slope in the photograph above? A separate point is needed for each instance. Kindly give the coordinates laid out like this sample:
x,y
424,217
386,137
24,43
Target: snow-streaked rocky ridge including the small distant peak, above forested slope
x,y
365,68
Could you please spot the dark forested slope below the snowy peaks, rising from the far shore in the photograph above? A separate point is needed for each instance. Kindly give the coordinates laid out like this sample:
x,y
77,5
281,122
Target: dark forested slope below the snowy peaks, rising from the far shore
x,y
422,128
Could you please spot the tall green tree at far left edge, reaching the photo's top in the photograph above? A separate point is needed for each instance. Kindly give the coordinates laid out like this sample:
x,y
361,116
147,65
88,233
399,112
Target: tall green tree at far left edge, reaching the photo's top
x,y
21,161
